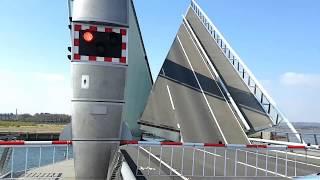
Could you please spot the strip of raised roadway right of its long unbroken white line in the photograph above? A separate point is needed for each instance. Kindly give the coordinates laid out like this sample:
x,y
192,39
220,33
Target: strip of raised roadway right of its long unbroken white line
x,y
222,110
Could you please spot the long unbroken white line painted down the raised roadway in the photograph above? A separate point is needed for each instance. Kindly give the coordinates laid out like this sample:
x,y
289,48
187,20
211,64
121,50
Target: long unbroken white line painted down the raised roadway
x,y
204,96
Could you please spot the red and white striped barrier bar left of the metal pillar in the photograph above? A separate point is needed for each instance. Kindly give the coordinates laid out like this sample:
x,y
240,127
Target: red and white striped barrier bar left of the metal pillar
x,y
13,143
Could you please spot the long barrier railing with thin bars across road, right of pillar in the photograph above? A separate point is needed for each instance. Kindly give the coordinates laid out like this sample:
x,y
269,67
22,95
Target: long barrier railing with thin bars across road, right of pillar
x,y
186,160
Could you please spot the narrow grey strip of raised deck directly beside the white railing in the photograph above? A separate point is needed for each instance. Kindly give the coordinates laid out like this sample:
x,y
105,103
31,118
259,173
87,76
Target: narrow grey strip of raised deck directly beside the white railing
x,y
247,103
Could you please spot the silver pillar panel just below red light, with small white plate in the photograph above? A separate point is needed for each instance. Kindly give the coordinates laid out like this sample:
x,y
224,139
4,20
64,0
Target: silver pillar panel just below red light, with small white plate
x,y
98,82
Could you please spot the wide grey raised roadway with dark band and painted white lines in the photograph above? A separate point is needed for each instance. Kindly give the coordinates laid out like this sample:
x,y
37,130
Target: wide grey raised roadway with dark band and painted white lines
x,y
191,108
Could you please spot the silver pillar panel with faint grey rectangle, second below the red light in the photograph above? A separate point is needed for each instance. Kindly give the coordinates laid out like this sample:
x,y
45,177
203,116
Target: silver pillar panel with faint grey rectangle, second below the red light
x,y
96,120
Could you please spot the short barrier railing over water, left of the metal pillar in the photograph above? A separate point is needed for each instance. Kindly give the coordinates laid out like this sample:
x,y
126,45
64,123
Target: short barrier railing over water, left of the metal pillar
x,y
28,155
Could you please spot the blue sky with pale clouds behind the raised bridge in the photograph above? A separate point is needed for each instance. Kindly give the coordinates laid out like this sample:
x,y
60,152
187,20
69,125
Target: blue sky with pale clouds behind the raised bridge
x,y
278,40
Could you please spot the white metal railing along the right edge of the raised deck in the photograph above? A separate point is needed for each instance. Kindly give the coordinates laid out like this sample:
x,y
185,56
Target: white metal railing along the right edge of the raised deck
x,y
246,75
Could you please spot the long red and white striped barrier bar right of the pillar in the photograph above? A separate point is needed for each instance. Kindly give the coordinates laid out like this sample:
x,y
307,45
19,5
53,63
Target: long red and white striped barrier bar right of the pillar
x,y
238,146
